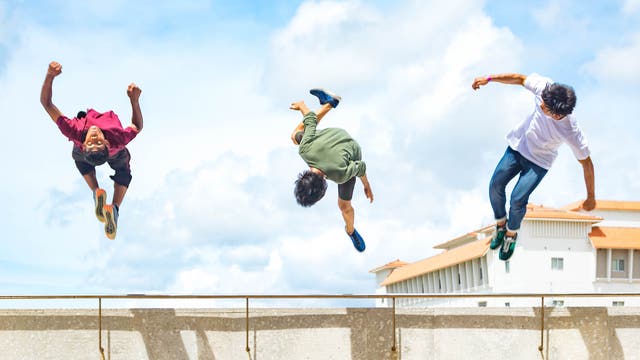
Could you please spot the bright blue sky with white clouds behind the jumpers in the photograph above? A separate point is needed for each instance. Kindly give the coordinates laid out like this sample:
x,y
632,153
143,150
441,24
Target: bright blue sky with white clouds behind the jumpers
x,y
211,210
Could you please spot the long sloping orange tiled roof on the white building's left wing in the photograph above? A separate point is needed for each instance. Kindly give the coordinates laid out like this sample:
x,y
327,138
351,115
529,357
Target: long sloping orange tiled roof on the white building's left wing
x,y
458,255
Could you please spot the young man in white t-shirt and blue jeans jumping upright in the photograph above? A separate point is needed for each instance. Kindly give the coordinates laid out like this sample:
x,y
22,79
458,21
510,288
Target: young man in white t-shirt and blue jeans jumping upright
x,y
533,146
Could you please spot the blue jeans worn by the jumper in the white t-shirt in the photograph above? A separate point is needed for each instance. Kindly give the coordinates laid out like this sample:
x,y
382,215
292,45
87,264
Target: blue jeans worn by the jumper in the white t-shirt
x,y
512,164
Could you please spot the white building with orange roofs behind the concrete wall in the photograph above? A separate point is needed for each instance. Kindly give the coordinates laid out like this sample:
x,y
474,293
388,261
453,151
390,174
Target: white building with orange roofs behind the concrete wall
x,y
559,251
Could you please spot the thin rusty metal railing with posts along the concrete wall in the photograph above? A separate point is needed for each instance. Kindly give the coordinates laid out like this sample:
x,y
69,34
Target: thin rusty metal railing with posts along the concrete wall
x,y
393,298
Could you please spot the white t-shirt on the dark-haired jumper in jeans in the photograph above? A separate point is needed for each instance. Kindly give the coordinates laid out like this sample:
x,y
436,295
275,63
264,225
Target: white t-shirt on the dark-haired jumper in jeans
x,y
539,136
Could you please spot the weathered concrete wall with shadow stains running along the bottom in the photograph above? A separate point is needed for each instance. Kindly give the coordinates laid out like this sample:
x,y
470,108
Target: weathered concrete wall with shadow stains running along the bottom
x,y
362,333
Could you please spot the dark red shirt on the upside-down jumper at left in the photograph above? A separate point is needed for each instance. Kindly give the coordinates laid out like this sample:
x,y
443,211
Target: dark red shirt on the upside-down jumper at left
x,y
117,136
